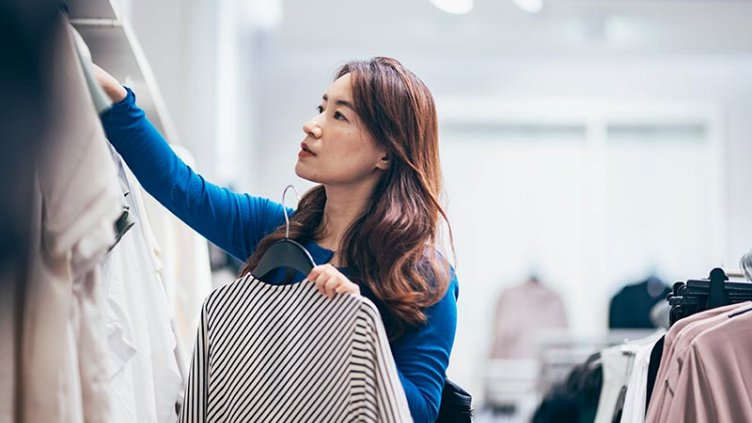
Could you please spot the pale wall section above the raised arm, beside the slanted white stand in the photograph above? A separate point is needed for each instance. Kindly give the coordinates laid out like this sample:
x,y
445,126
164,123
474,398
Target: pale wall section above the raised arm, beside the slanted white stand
x,y
179,39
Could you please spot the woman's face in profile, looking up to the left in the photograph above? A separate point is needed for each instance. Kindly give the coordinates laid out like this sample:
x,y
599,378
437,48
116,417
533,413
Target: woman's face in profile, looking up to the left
x,y
337,148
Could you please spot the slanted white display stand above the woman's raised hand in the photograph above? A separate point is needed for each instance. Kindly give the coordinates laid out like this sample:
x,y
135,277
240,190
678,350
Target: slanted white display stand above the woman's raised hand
x,y
115,48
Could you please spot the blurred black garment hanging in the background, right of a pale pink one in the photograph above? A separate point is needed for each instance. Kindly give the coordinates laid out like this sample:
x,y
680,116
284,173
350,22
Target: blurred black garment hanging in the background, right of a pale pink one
x,y
630,308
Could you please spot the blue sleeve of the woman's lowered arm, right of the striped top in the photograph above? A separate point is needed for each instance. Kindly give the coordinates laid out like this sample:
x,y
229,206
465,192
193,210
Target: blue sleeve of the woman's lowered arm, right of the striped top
x,y
422,356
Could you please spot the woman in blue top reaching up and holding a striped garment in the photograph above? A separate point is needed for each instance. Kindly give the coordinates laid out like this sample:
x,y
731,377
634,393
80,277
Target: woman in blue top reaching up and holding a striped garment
x,y
371,224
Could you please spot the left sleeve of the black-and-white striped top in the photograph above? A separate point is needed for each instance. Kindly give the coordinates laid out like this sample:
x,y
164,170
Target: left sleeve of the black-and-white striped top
x,y
196,391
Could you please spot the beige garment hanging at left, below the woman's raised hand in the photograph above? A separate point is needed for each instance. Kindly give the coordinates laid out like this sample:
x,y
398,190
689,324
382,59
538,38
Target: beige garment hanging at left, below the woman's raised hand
x,y
63,350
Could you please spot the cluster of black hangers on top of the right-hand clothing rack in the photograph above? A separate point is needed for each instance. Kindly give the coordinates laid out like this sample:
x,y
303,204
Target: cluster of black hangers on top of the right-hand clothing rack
x,y
694,296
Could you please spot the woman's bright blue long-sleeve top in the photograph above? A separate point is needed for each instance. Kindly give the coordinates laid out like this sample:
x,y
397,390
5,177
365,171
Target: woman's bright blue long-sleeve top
x,y
237,222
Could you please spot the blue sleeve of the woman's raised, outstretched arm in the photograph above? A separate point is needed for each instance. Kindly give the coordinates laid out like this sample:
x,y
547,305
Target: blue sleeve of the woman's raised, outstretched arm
x,y
234,222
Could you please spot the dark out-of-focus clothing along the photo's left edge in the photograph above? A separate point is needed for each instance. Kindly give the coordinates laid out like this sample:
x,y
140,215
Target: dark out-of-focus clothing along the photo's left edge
x,y
26,41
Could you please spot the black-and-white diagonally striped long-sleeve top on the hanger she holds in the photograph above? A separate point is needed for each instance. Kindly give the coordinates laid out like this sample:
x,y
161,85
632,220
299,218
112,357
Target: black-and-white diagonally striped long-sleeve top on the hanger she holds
x,y
286,353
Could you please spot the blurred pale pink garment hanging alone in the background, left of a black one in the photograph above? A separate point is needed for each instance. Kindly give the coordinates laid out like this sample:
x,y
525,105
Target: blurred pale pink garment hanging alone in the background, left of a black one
x,y
522,312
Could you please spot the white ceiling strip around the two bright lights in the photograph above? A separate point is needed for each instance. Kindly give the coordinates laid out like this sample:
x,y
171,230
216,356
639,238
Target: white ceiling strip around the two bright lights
x,y
499,27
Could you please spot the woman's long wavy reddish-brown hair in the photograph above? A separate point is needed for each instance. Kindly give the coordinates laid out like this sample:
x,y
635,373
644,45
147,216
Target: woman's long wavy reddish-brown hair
x,y
392,247
